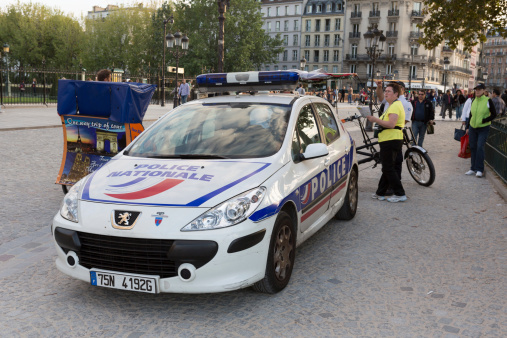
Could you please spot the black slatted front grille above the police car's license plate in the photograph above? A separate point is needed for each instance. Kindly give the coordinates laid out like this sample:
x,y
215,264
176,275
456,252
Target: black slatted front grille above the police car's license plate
x,y
131,255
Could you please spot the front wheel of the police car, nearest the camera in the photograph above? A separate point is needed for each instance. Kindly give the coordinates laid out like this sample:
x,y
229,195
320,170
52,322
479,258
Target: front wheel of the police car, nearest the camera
x,y
281,256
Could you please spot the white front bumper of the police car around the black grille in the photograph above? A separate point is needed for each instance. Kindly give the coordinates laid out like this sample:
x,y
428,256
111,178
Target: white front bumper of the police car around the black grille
x,y
225,259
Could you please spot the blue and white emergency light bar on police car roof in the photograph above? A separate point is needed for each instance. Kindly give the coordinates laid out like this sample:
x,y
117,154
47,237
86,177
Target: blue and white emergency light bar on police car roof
x,y
247,81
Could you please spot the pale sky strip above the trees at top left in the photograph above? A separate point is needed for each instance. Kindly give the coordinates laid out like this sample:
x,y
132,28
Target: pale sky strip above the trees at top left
x,y
75,7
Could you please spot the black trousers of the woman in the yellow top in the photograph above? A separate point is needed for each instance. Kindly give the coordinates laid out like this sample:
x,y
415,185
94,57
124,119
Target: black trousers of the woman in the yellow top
x,y
389,150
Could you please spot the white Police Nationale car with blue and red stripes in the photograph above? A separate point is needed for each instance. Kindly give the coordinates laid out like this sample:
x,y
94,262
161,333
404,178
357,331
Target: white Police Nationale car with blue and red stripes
x,y
214,196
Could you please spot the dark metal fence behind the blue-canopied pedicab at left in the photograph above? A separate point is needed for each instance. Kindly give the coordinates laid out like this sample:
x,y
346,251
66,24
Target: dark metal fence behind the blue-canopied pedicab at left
x,y
40,86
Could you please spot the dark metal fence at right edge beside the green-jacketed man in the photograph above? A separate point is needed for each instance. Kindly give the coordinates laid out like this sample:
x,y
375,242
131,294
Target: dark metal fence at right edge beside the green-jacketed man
x,y
496,147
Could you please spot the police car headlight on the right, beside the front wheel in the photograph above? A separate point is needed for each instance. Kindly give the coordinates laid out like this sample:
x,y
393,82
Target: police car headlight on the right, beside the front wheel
x,y
229,213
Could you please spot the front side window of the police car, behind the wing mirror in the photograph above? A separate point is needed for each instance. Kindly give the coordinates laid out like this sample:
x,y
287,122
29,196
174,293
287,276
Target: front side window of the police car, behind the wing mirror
x,y
306,132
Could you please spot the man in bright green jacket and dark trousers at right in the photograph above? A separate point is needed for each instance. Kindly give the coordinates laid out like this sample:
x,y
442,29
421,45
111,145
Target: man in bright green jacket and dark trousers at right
x,y
481,114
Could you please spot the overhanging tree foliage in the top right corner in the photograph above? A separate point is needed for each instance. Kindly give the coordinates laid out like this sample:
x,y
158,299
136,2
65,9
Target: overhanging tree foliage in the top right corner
x,y
468,21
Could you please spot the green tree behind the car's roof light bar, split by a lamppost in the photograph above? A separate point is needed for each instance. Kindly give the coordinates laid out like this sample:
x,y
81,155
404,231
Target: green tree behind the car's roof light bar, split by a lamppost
x,y
247,46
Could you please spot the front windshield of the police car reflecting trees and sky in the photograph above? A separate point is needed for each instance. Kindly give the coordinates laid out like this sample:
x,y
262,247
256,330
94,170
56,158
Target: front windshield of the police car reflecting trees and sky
x,y
225,130
